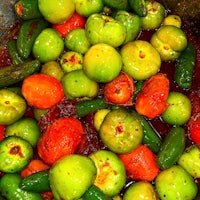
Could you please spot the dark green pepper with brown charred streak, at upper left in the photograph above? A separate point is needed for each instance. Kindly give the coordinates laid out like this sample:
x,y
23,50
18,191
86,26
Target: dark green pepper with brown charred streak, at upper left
x,y
28,32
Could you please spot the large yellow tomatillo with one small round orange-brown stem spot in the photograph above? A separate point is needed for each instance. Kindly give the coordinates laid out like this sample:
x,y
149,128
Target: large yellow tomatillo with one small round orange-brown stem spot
x,y
140,59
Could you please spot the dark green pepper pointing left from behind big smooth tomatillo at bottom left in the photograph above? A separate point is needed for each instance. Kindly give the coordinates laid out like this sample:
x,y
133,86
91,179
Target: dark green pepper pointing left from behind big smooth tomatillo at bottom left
x,y
36,182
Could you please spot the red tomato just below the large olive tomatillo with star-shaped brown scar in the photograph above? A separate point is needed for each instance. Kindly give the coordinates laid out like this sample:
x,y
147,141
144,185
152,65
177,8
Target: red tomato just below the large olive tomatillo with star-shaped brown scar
x,y
140,164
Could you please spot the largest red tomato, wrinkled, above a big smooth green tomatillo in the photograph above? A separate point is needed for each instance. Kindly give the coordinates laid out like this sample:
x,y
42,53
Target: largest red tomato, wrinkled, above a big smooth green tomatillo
x,y
61,138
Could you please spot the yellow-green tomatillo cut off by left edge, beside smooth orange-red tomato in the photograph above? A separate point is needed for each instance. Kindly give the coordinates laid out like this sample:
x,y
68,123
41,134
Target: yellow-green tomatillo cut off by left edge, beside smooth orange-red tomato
x,y
12,107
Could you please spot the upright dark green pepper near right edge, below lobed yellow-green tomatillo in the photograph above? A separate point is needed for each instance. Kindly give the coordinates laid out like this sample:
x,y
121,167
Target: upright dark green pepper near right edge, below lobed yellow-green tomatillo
x,y
185,67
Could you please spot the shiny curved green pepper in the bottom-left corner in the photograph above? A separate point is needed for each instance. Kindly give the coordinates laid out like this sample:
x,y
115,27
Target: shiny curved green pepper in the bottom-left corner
x,y
9,187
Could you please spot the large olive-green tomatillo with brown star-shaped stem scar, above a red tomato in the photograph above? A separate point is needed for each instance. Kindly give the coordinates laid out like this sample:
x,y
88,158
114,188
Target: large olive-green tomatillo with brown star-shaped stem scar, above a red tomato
x,y
120,131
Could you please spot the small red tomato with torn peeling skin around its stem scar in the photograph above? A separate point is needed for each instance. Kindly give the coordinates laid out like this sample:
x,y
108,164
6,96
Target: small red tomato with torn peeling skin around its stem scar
x,y
120,90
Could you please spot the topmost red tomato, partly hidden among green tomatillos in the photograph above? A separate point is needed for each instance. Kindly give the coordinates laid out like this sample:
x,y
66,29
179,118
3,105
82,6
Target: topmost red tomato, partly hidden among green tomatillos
x,y
75,21
